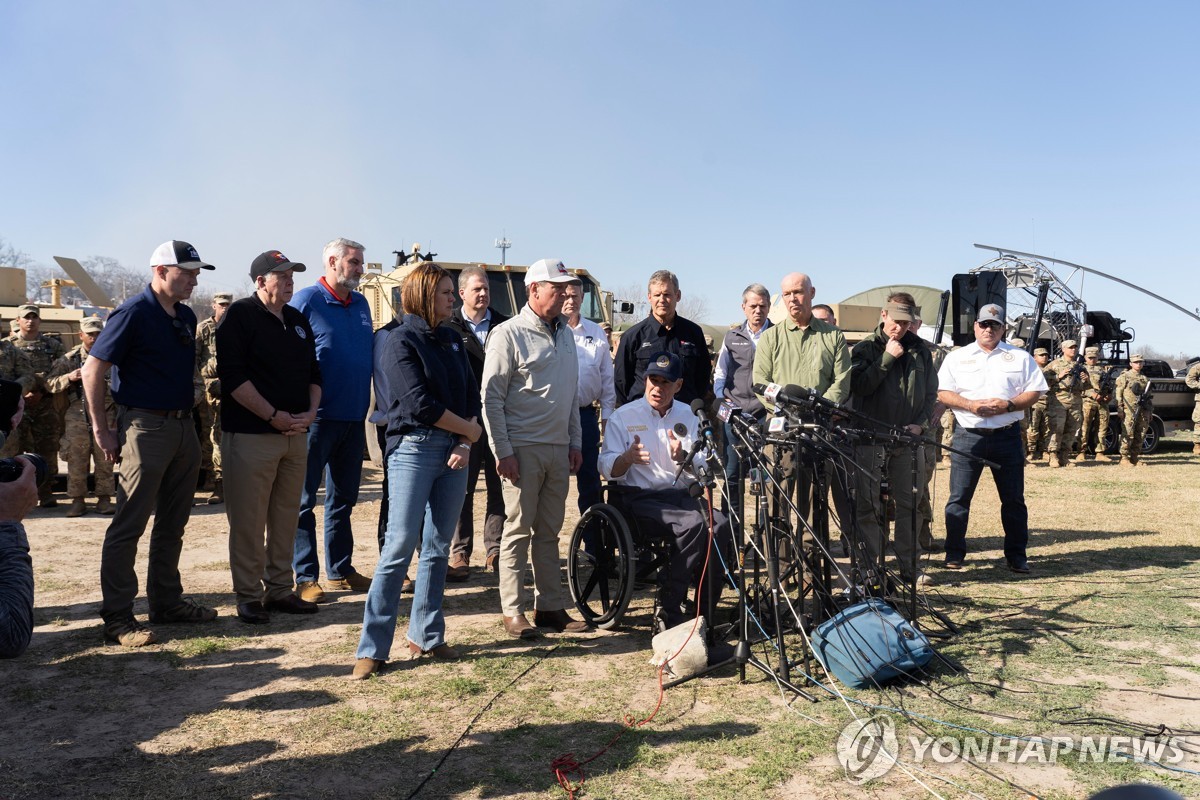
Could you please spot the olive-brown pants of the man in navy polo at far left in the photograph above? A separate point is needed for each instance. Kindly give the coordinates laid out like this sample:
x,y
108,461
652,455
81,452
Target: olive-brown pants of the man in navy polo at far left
x,y
160,462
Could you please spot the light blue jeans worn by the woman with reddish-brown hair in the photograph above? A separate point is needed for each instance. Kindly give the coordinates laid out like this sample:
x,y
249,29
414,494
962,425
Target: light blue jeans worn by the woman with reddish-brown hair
x,y
427,497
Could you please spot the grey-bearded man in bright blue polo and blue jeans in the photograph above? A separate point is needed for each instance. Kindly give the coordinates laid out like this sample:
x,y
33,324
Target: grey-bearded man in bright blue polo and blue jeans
x,y
341,322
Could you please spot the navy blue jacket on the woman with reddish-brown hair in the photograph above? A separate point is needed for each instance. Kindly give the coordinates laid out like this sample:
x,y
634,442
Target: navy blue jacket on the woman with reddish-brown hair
x,y
424,375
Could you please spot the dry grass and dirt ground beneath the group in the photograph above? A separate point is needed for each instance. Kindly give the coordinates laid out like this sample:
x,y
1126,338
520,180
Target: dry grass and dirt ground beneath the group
x,y
230,711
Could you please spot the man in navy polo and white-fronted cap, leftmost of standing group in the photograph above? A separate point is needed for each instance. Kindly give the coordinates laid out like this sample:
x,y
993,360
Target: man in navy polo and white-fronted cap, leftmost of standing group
x,y
151,340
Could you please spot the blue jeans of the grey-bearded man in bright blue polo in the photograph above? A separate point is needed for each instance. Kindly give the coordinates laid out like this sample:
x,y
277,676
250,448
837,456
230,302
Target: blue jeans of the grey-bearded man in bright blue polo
x,y
335,455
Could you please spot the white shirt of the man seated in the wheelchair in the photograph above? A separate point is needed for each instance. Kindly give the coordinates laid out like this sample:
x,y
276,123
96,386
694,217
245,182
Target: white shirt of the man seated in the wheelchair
x,y
638,419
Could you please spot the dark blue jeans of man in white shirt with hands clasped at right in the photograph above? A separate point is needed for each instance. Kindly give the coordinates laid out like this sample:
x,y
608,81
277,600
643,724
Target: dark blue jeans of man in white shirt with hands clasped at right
x,y
1003,448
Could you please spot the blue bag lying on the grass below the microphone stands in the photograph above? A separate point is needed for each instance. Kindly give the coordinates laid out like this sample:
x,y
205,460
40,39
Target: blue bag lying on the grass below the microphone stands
x,y
871,643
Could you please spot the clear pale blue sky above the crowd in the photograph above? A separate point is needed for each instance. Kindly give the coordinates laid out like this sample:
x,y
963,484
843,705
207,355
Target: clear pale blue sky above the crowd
x,y
865,143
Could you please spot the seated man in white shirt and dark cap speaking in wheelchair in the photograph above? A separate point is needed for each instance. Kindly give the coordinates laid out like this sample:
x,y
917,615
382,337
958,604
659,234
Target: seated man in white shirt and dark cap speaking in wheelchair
x,y
645,444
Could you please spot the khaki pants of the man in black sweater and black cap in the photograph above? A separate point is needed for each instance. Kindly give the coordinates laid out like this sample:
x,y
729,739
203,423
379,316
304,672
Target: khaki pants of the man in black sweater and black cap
x,y
265,477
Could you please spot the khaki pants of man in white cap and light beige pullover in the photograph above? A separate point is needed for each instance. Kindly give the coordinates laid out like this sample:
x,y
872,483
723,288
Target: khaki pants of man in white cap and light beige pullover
x,y
535,509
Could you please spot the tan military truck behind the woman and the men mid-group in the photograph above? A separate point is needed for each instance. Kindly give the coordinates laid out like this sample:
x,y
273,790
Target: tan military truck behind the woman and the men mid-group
x,y
382,290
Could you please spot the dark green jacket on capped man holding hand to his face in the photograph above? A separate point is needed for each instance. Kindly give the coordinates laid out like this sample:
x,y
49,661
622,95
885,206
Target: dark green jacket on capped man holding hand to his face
x,y
897,392
